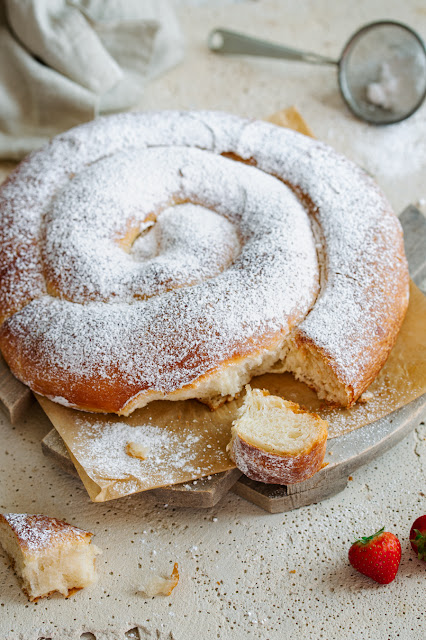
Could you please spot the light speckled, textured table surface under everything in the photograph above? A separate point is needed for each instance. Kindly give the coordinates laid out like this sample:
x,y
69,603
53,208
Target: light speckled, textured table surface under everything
x,y
245,573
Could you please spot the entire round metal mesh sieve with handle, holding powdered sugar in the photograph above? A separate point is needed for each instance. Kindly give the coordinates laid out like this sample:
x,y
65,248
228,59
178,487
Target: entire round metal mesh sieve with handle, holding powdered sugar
x,y
381,70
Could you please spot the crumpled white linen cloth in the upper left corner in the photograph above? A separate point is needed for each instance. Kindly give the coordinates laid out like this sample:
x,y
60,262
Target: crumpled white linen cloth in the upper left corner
x,y
63,62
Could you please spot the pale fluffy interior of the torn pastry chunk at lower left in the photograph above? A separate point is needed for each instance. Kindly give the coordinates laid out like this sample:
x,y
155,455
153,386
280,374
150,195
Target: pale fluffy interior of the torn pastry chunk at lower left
x,y
62,568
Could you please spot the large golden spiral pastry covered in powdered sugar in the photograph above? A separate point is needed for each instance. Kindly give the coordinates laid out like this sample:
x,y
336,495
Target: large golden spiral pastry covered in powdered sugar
x,y
176,255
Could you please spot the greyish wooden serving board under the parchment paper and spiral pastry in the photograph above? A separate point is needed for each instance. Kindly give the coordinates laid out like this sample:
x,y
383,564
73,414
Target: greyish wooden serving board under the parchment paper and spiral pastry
x,y
344,454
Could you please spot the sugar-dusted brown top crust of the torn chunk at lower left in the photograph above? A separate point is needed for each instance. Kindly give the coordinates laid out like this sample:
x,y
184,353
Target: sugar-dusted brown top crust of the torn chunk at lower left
x,y
37,532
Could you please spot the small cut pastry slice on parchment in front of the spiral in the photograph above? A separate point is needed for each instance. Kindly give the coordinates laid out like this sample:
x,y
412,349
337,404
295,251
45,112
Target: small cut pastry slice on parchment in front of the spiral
x,y
275,441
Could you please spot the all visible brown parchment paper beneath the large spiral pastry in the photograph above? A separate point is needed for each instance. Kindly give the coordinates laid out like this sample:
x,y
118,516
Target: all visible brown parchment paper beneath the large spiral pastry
x,y
186,441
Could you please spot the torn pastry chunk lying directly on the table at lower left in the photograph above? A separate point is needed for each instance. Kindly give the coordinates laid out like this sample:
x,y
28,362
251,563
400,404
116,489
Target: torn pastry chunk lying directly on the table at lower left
x,y
48,555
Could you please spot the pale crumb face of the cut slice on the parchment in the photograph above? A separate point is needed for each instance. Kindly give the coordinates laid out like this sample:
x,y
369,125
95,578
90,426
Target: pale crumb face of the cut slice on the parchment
x,y
277,425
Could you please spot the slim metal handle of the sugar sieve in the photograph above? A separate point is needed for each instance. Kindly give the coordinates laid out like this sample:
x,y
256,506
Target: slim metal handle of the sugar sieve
x,y
224,41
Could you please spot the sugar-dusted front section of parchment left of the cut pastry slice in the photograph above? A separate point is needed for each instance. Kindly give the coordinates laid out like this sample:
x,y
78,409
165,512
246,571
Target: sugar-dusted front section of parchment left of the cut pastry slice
x,y
185,441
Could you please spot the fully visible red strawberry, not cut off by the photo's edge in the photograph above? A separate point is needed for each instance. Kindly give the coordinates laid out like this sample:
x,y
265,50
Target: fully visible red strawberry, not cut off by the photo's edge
x,y
377,556
